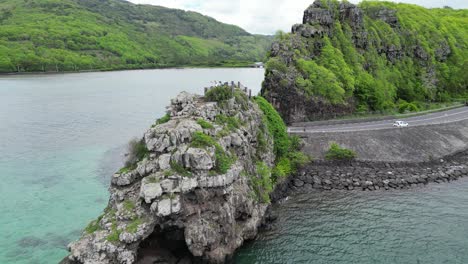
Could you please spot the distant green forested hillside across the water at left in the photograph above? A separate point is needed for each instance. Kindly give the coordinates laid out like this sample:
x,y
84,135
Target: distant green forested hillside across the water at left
x,y
71,35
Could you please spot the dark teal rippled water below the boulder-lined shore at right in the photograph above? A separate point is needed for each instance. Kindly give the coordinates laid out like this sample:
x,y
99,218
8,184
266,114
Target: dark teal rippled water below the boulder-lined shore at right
x,y
427,225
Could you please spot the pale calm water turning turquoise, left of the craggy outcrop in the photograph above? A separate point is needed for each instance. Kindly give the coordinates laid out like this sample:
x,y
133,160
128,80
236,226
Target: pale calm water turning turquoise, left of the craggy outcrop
x,y
62,136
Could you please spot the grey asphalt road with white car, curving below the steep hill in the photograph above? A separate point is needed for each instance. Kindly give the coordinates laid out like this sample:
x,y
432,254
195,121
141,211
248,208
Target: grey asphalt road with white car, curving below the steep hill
x,y
448,116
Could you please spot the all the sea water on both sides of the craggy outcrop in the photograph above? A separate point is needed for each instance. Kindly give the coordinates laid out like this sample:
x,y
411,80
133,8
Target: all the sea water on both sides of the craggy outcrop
x,y
62,136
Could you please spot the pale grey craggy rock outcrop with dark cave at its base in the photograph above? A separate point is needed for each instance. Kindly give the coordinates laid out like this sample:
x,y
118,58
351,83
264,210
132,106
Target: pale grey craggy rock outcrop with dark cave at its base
x,y
197,193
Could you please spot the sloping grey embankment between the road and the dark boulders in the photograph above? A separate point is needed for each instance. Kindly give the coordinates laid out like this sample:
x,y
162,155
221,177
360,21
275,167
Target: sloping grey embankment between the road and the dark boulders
x,y
411,144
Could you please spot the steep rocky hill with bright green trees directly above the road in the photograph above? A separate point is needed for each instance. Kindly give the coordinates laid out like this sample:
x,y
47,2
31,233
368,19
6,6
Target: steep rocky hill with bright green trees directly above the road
x,y
376,56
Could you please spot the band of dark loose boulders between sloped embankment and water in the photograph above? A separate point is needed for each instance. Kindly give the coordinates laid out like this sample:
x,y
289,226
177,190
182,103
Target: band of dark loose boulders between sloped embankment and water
x,y
372,176
